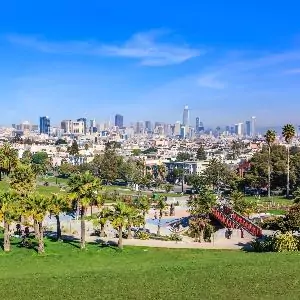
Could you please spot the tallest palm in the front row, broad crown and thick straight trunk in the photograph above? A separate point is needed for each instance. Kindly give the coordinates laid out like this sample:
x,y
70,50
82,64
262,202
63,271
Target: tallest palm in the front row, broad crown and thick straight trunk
x,y
84,189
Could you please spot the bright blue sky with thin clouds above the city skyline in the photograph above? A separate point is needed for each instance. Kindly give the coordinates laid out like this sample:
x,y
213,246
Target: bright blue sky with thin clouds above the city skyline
x,y
146,60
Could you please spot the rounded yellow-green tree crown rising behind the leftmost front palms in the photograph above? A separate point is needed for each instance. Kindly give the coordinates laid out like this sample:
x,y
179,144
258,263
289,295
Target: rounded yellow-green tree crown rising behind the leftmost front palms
x,y
23,180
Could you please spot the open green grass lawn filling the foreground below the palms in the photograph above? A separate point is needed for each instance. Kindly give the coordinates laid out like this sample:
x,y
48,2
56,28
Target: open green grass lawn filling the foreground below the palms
x,y
65,272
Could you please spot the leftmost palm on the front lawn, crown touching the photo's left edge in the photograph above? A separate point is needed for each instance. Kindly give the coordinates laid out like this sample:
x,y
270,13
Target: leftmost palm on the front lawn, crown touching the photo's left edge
x,y
8,214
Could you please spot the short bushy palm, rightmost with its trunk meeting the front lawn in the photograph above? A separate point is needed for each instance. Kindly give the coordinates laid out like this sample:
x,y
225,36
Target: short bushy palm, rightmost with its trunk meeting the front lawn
x,y
120,219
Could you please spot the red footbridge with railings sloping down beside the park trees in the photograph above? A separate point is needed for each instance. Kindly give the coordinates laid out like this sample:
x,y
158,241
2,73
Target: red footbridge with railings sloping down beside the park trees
x,y
231,219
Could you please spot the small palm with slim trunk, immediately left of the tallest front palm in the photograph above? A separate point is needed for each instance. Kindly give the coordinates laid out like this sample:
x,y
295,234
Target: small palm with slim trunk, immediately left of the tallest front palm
x,y
58,204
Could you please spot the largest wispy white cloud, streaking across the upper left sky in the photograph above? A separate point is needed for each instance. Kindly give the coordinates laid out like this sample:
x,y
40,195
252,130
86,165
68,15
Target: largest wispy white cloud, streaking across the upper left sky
x,y
146,47
